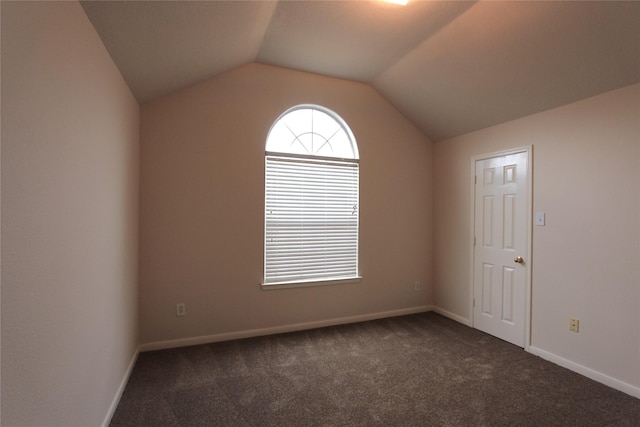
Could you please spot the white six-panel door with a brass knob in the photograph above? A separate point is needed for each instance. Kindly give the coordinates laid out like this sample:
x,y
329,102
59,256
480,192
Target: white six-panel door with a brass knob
x,y
501,256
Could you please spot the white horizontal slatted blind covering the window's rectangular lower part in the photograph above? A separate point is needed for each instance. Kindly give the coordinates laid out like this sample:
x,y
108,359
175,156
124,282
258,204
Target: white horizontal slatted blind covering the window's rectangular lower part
x,y
311,219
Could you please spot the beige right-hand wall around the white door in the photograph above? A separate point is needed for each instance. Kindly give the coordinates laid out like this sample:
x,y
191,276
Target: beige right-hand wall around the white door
x,y
586,263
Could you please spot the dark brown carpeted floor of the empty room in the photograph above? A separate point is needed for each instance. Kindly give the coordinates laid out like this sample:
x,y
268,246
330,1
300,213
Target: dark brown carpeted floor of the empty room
x,y
417,370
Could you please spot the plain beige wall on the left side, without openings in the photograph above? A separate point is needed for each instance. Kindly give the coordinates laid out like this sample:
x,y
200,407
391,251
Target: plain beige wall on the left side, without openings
x,y
69,219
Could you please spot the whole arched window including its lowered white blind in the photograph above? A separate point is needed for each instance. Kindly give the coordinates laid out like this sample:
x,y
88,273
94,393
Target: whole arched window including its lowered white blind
x,y
311,199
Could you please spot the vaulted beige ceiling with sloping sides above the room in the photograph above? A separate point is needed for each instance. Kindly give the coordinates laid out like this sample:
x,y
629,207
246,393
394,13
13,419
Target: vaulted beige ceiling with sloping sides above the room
x,y
451,67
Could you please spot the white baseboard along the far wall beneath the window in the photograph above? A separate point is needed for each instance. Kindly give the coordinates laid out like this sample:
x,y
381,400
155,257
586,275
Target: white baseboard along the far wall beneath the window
x,y
184,342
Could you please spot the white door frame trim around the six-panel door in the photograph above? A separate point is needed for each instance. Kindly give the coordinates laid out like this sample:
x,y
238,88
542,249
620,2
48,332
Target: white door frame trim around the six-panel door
x,y
529,224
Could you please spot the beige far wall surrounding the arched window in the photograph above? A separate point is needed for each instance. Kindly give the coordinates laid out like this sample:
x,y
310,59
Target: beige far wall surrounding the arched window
x,y
202,204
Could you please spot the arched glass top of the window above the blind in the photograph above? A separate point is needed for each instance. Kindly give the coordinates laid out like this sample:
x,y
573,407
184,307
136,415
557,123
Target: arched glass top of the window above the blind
x,y
311,130
